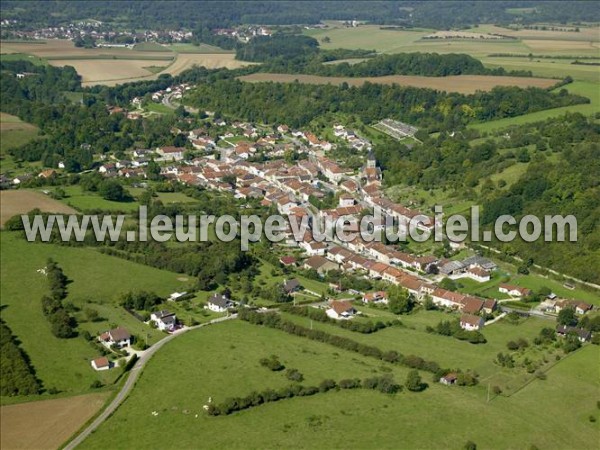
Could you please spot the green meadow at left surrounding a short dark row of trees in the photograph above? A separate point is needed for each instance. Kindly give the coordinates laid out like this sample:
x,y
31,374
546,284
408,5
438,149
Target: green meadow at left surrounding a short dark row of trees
x,y
97,281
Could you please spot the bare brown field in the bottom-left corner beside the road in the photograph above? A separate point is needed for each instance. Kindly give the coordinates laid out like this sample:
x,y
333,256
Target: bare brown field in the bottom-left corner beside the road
x,y
46,424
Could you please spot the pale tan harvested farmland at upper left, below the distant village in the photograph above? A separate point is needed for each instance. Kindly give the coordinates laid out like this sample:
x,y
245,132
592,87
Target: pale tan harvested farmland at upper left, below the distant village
x,y
111,66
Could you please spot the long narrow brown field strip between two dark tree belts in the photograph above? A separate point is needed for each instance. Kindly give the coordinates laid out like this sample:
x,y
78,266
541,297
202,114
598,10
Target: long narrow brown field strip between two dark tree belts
x,y
466,84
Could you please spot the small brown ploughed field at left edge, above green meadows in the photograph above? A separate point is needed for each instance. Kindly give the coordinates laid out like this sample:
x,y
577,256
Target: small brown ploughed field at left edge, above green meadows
x,y
21,202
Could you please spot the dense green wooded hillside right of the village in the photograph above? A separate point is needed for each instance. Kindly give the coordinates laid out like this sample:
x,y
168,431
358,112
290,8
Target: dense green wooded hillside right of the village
x,y
562,176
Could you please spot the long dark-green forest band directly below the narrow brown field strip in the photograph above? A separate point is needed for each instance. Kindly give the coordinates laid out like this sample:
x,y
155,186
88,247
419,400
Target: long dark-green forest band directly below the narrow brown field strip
x,y
297,104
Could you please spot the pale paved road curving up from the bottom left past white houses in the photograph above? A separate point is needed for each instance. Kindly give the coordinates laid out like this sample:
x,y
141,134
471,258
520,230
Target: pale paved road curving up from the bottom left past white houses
x,y
131,380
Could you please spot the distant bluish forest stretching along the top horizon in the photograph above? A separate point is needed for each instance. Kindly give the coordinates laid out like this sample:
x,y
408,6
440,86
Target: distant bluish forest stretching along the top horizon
x,y
153,14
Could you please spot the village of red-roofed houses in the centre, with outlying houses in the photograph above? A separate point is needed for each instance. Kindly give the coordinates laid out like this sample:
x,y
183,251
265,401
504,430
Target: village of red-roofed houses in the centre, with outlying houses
x,y
290,172
